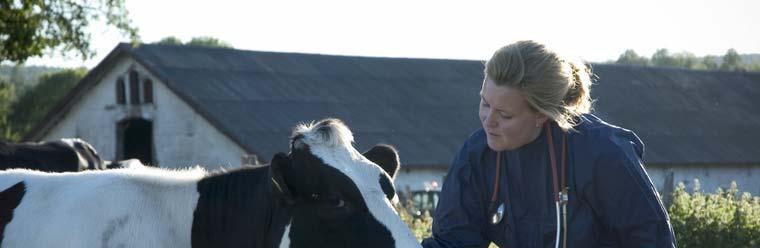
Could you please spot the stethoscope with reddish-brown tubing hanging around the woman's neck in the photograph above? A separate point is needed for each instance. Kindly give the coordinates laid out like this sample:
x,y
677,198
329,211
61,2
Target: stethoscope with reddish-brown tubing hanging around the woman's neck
x,y
560,201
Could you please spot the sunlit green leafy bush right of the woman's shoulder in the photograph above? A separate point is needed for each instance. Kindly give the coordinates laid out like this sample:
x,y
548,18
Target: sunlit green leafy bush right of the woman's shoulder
x,y
723,219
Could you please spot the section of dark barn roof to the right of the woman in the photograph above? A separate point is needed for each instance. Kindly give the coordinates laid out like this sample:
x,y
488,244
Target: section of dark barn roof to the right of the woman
x,y
684,116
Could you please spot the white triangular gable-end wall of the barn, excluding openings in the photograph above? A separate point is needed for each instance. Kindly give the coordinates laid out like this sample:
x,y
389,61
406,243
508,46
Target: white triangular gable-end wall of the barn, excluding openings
x,y
181,136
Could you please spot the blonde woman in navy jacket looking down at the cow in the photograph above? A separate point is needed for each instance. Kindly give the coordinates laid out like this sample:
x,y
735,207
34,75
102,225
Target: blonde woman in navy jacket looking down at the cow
x,y
542,171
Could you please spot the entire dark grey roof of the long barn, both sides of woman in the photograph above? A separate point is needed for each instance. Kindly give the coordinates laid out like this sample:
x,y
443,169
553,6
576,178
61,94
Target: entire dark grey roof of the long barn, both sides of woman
x,y
427,107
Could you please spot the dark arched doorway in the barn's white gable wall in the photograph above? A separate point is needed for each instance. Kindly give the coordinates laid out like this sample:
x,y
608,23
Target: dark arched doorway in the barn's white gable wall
x,y
135,140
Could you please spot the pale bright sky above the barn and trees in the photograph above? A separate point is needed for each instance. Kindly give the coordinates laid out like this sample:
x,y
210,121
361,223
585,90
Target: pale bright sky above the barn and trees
x,y
592,30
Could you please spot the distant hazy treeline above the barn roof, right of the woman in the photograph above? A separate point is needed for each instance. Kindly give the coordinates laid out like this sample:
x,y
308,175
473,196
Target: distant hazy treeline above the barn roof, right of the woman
x,y
731,61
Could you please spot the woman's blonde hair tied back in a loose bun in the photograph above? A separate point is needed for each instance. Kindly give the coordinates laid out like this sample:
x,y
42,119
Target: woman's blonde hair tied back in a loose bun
x,y
552,85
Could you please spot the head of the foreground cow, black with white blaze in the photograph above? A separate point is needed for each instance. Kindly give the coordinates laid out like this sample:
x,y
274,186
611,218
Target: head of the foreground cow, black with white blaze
x,y
339,197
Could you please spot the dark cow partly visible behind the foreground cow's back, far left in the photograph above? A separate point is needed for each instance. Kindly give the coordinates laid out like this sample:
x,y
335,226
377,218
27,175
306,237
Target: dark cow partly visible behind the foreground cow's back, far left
x,y
52,156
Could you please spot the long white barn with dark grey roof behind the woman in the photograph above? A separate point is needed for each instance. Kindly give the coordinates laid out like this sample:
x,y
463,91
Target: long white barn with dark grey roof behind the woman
x,y
176,106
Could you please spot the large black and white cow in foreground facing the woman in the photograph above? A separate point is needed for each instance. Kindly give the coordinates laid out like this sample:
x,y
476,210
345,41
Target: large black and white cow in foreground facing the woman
x,y
324,193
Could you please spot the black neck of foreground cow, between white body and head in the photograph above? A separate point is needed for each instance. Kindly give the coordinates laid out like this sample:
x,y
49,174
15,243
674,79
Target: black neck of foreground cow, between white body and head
x,y
238,209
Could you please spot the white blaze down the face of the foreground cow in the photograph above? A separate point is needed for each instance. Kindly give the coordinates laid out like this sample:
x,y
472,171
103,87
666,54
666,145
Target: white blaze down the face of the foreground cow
x,y
331,141
